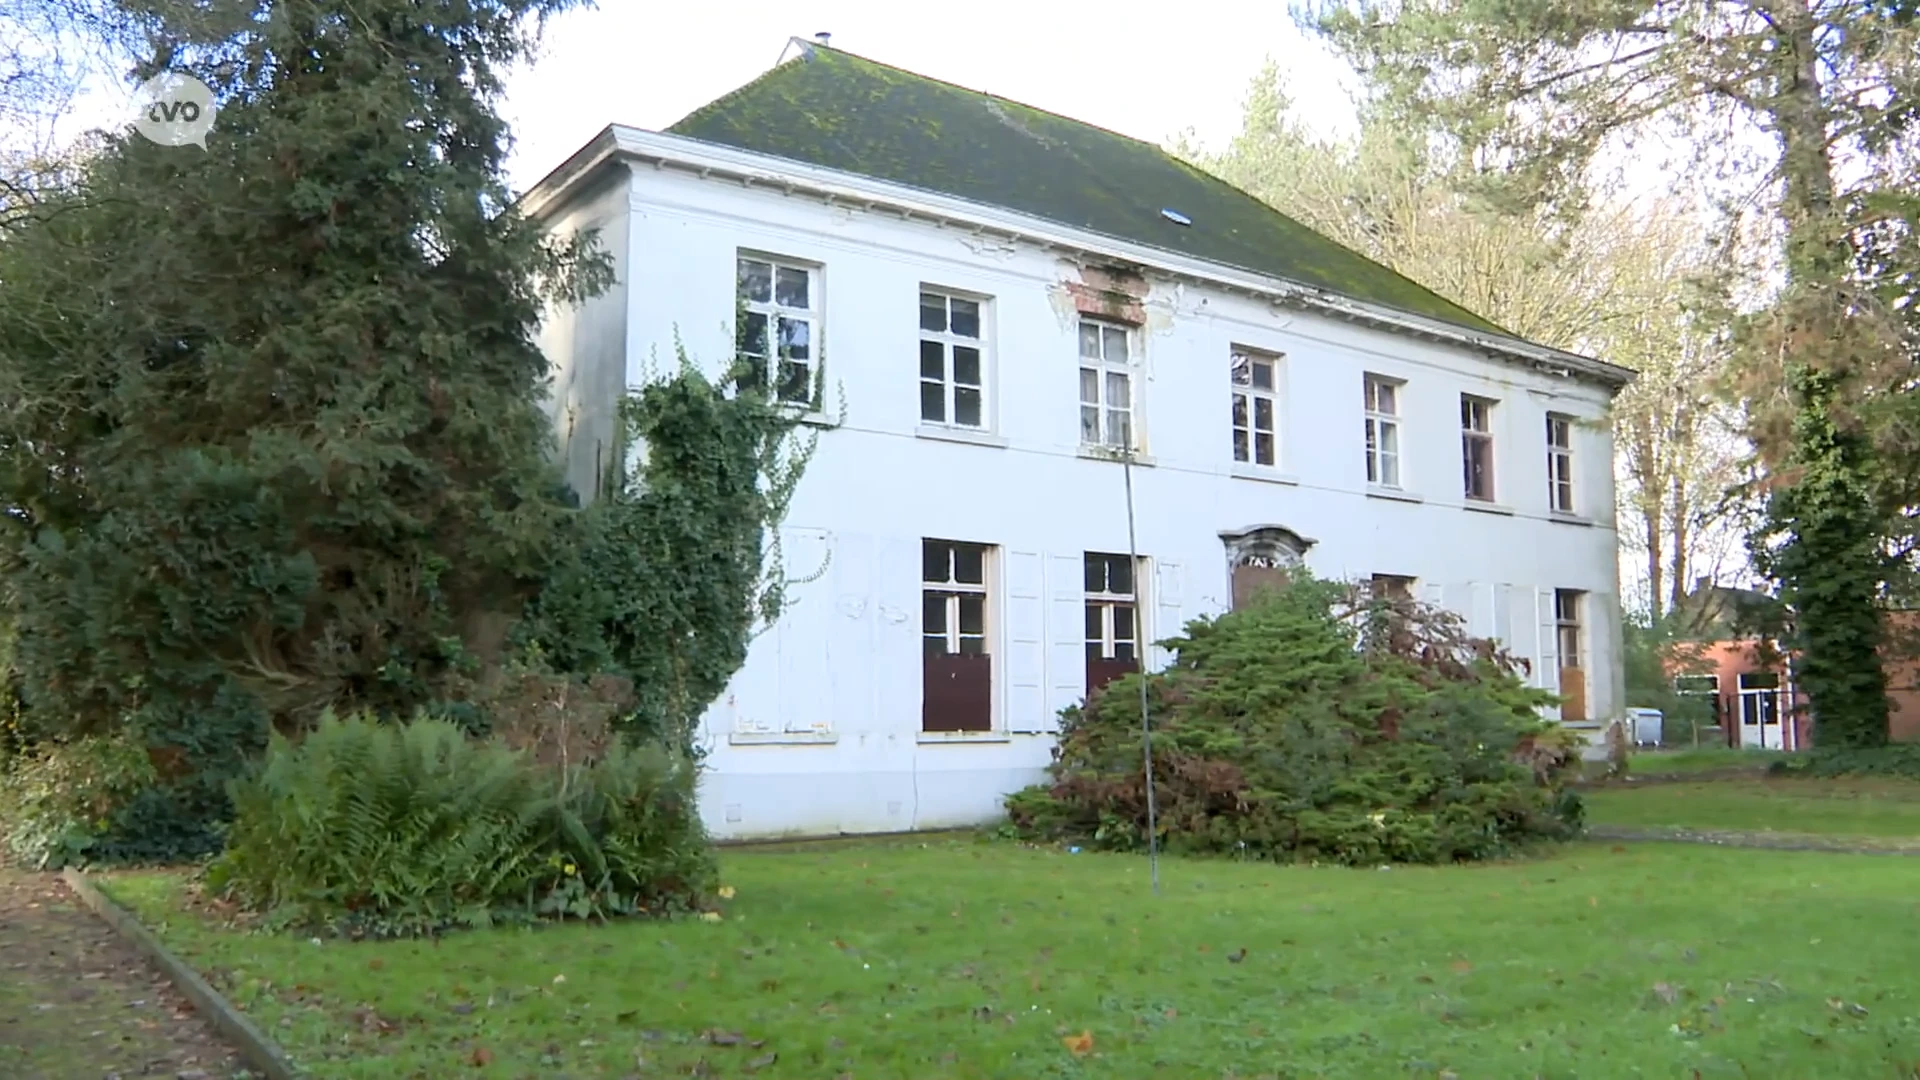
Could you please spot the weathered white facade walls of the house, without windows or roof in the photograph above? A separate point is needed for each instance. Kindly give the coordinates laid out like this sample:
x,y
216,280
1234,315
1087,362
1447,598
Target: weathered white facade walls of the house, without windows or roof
x,y
823,731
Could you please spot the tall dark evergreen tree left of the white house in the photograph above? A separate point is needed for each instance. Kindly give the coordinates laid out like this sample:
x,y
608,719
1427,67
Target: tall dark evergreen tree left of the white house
x,y
270,412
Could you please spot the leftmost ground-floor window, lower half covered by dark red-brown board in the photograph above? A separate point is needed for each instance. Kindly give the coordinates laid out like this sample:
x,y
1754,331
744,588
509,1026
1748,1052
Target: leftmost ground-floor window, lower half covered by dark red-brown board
x,y
957,670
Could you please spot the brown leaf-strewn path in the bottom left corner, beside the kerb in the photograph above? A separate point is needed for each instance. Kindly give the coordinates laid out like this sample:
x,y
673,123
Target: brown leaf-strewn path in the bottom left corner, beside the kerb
x,y
78,1002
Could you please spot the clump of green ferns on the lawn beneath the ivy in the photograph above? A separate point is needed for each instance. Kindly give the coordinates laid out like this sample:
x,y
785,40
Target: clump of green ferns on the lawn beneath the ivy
x,y
400,829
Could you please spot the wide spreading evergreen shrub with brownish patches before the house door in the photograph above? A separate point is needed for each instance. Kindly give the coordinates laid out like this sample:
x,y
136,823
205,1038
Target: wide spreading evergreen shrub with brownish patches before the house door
x,y
1316,725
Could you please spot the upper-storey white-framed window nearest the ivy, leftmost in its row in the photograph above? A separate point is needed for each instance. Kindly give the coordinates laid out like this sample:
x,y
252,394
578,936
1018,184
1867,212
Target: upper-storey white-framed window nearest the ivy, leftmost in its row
x,y
780,326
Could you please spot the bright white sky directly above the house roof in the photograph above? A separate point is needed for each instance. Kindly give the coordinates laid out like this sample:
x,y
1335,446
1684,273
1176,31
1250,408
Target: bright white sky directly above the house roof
x,y
1143,70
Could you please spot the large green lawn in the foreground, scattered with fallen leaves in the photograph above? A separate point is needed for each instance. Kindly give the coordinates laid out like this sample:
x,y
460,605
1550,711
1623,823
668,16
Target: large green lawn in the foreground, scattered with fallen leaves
x,y
959,960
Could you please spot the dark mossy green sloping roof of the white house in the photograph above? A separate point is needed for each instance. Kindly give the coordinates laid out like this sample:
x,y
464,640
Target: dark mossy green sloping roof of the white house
x,y
838,110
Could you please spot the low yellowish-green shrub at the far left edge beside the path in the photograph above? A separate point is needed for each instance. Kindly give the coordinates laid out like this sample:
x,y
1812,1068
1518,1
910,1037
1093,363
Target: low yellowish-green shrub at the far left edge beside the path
x,y
62,804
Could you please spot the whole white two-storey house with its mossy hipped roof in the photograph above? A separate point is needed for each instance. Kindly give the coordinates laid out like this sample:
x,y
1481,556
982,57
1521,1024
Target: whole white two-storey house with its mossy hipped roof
x,y
999,299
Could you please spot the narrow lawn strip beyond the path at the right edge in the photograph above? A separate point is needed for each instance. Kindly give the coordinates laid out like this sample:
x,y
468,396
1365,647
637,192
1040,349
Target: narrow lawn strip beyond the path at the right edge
x,y
1829,808
